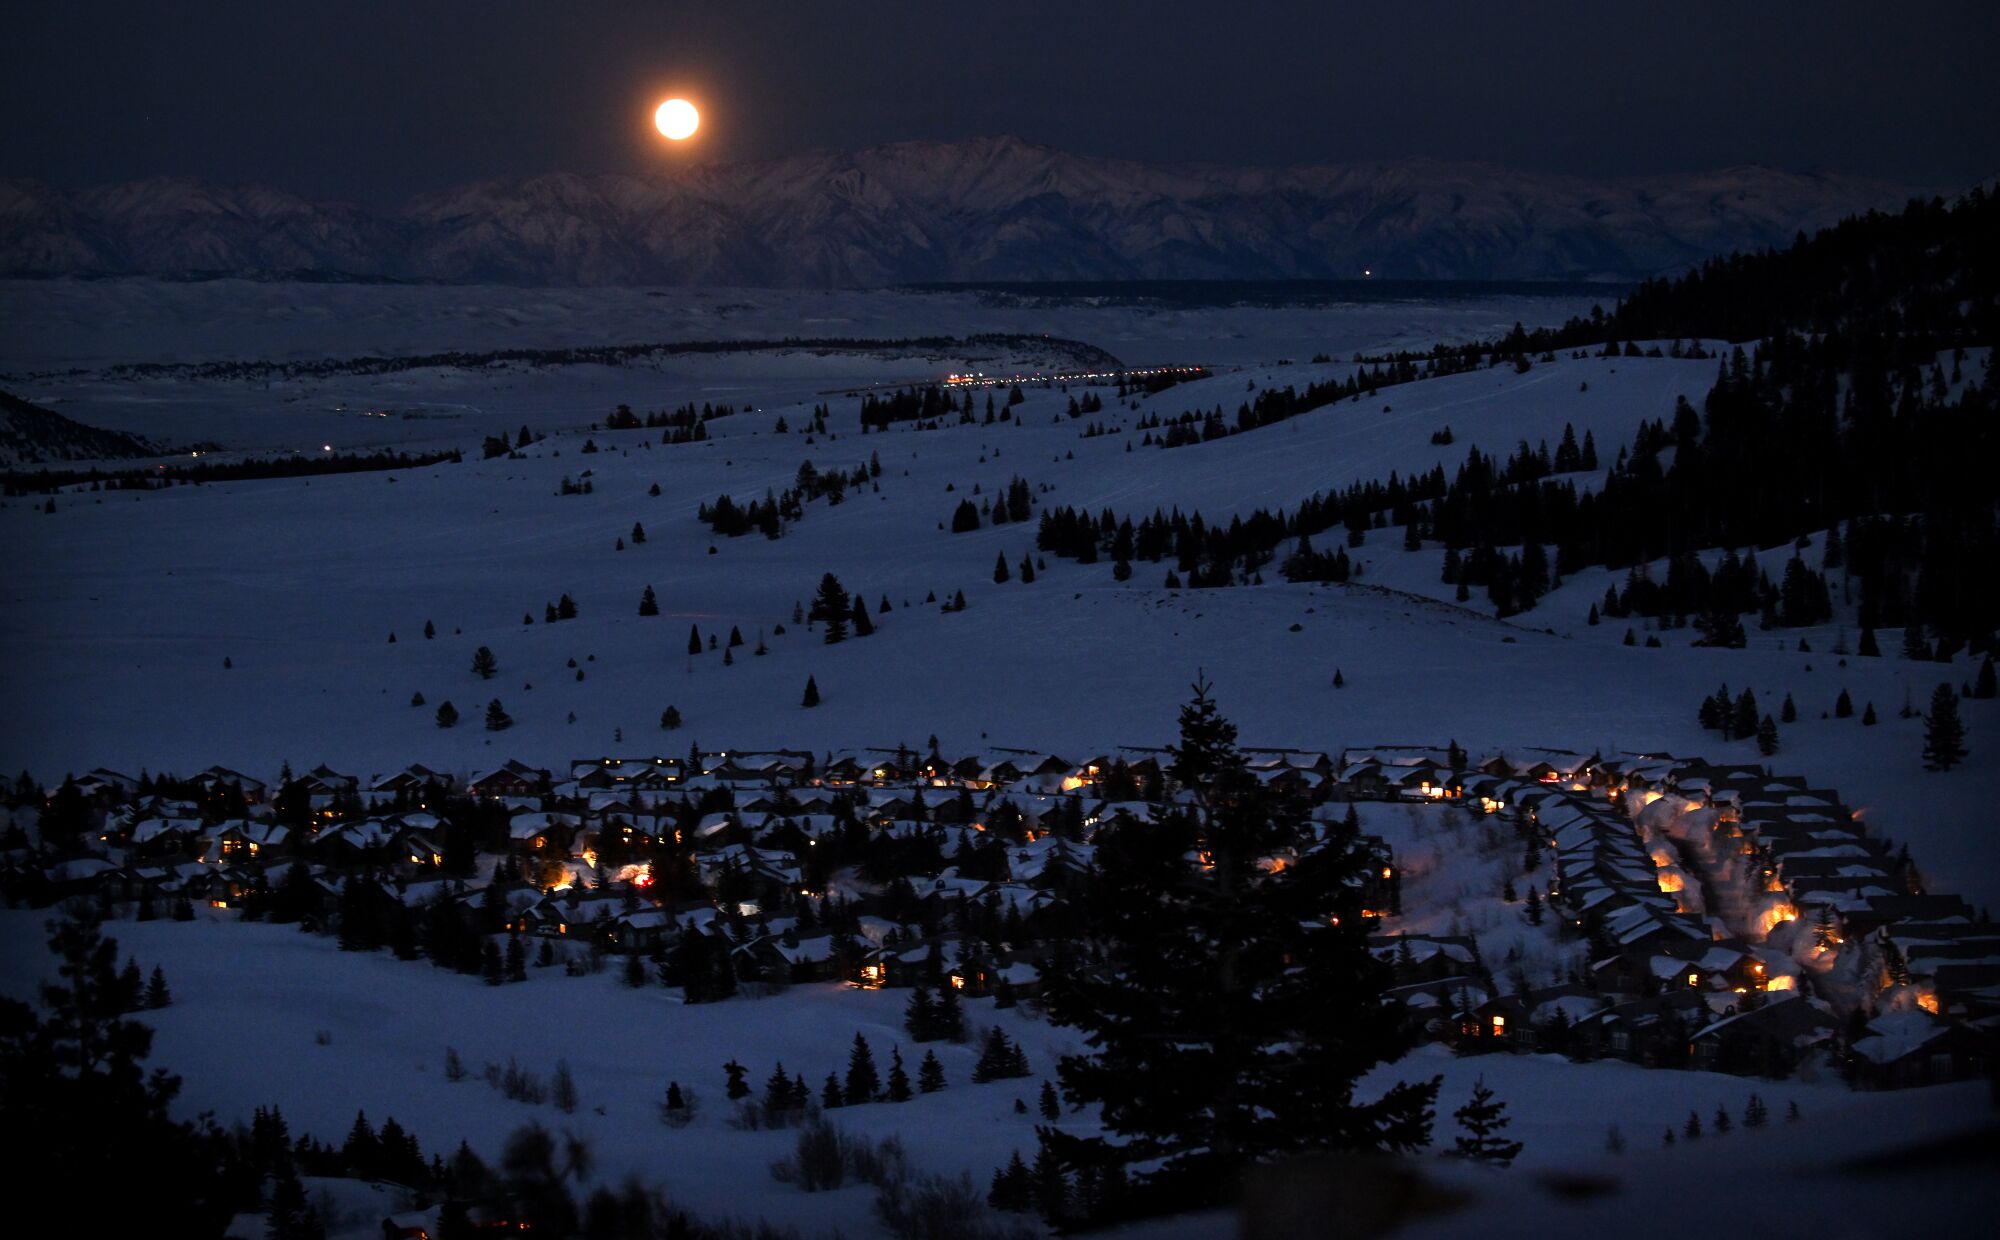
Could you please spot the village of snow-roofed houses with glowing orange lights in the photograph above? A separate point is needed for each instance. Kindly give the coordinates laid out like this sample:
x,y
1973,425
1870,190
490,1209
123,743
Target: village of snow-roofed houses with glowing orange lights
x,y
1709,917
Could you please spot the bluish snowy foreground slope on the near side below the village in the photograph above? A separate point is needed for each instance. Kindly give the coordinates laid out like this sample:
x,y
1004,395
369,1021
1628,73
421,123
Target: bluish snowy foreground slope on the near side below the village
x,y
253,1005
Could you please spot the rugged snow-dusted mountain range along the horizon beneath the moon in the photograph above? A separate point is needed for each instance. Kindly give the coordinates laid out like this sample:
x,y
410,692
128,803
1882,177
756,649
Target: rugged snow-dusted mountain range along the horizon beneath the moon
x,y
987,209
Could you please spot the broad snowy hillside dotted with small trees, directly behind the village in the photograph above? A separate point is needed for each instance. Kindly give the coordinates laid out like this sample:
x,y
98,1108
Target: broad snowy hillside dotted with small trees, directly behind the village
x,y
127,607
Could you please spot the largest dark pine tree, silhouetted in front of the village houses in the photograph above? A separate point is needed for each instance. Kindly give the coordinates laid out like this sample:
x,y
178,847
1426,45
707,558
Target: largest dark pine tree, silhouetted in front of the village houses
x,y
1263,981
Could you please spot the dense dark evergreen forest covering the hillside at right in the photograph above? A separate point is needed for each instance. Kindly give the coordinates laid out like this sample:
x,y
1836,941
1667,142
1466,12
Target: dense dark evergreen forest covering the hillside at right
x,y
1857,411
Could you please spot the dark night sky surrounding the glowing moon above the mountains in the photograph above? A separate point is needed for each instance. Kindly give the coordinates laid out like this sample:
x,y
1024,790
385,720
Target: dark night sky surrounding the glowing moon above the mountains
x,y
381,101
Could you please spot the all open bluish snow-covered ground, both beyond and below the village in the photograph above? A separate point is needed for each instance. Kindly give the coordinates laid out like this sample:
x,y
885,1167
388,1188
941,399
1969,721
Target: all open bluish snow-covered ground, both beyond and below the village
x,y
249,623
